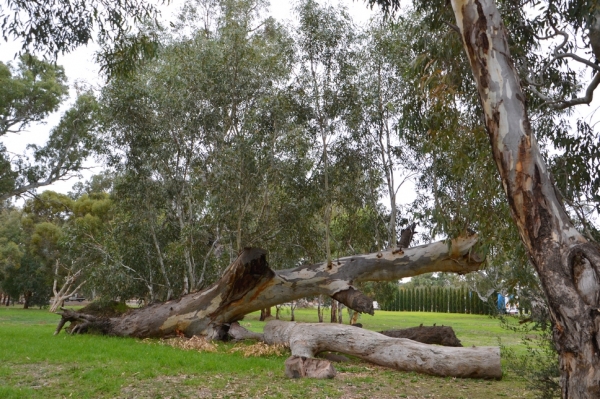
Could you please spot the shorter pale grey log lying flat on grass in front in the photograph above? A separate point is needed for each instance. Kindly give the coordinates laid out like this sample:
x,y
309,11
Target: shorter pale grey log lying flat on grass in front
x,y
308,339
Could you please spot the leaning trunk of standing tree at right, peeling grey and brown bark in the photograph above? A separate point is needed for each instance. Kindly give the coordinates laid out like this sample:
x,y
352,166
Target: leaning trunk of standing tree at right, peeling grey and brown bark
x,y
568,266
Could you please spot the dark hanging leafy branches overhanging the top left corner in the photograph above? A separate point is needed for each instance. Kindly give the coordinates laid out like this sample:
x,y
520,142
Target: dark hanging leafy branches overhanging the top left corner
x,y
51,28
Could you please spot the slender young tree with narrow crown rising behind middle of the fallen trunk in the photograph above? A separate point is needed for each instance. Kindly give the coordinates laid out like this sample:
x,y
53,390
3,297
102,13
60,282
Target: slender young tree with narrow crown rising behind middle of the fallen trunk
x,y
326,42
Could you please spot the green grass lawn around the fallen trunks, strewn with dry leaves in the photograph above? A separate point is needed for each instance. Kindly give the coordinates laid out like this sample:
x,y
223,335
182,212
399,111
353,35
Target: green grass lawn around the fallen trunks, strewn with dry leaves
x,y
36,364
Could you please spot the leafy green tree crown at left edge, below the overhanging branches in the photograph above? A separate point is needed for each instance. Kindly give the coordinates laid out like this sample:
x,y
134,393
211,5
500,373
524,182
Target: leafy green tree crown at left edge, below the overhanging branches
x,y
29,93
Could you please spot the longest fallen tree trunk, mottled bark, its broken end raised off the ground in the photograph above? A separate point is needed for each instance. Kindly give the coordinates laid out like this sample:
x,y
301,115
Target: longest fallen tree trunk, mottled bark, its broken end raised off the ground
x,y
249,284
